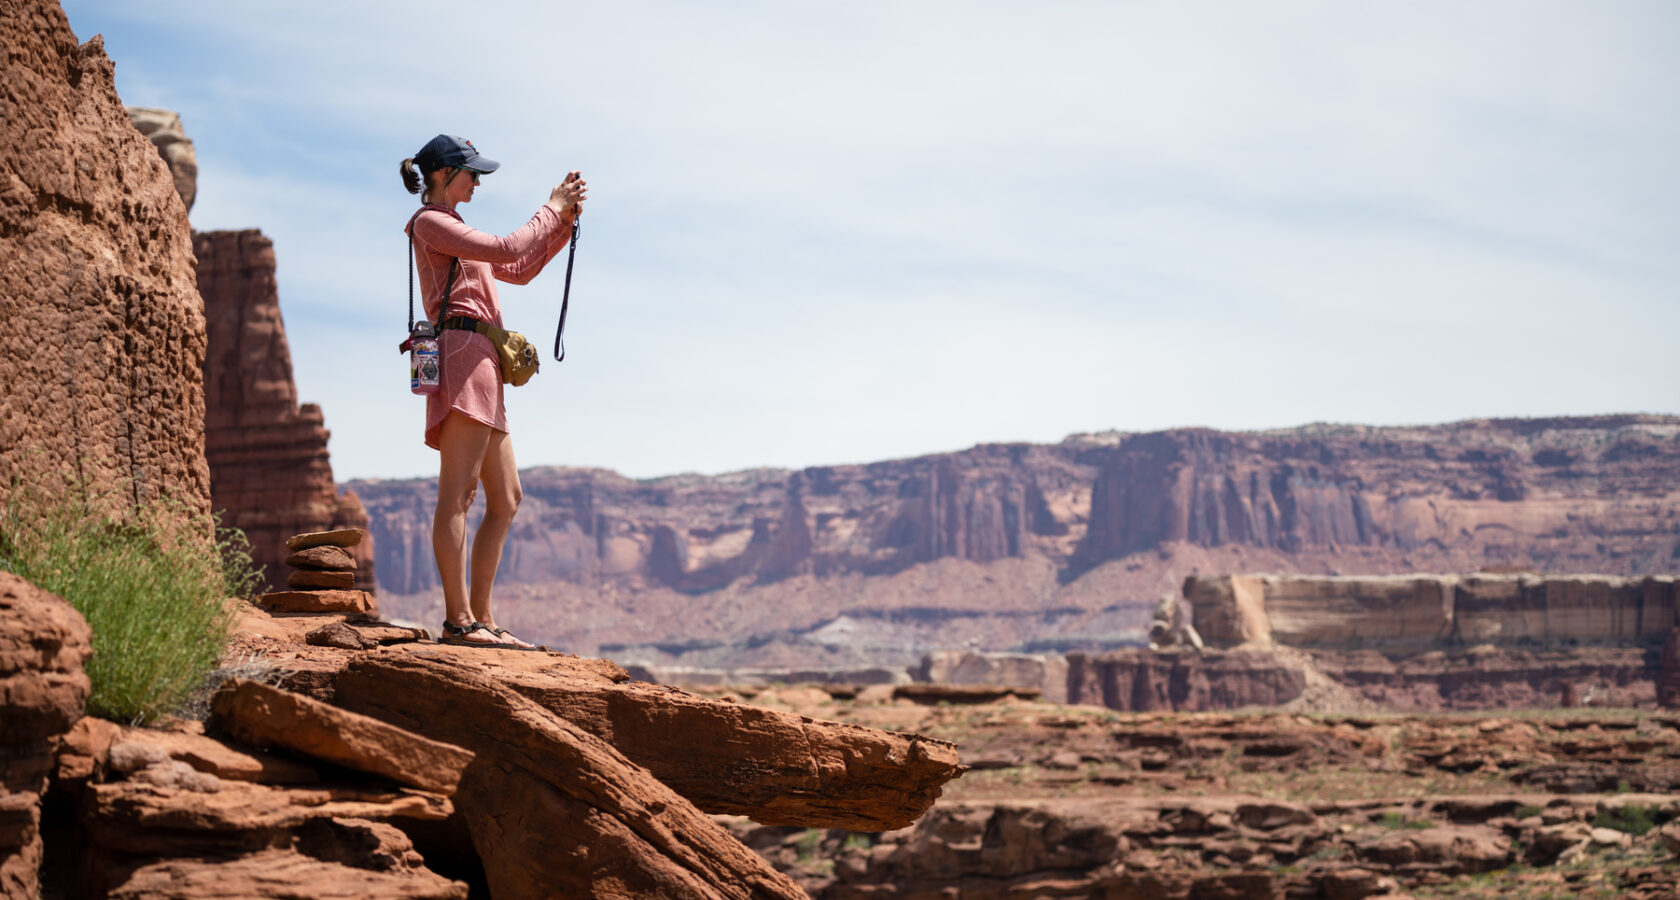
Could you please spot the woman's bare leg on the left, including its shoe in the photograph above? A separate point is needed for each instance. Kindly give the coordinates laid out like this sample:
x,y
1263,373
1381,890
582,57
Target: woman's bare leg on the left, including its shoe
x,y
463,444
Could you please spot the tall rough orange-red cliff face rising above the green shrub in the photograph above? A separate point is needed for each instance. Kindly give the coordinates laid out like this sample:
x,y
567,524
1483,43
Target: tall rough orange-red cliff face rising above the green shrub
x,y
107,342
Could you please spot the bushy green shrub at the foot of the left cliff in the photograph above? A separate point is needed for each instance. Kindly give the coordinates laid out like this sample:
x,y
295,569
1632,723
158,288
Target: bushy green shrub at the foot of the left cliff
x,y
150,582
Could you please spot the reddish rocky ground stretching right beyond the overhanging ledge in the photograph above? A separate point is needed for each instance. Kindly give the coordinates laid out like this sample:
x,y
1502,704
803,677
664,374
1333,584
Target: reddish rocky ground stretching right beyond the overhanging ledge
x,y
1084,802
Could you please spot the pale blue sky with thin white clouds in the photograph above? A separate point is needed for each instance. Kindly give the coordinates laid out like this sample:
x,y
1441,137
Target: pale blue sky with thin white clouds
x,y
848,233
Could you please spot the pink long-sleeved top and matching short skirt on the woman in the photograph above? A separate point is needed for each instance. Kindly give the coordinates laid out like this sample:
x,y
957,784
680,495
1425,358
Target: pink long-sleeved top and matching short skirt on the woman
x,y
471,377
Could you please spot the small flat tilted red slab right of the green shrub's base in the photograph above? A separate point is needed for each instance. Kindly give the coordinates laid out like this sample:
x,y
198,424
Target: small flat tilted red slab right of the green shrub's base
x,y
266,718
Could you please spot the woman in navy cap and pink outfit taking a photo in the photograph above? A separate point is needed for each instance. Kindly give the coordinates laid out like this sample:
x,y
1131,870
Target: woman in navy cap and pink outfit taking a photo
x,y
466,422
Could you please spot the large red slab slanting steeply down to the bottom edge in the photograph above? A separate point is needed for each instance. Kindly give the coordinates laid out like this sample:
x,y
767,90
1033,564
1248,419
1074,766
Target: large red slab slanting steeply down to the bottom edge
x,y
552,808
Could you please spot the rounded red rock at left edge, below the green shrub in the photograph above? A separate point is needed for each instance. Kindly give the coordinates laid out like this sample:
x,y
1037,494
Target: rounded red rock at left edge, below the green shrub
x,y
43,689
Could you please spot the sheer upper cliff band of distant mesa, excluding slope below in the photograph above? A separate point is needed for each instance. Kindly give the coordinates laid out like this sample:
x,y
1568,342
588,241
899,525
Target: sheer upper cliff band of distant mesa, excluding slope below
x,y
1573,494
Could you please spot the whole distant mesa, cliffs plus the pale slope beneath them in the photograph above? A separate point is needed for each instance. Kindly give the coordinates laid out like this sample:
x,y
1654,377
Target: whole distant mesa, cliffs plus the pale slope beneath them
x,y
1051,547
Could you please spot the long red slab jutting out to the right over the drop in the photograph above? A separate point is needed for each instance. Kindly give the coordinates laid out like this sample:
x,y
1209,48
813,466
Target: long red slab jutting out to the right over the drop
x,y
725,758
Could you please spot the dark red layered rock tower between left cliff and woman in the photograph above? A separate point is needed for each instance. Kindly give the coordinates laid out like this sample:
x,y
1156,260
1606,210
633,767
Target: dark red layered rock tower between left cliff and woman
x,y
270,468
